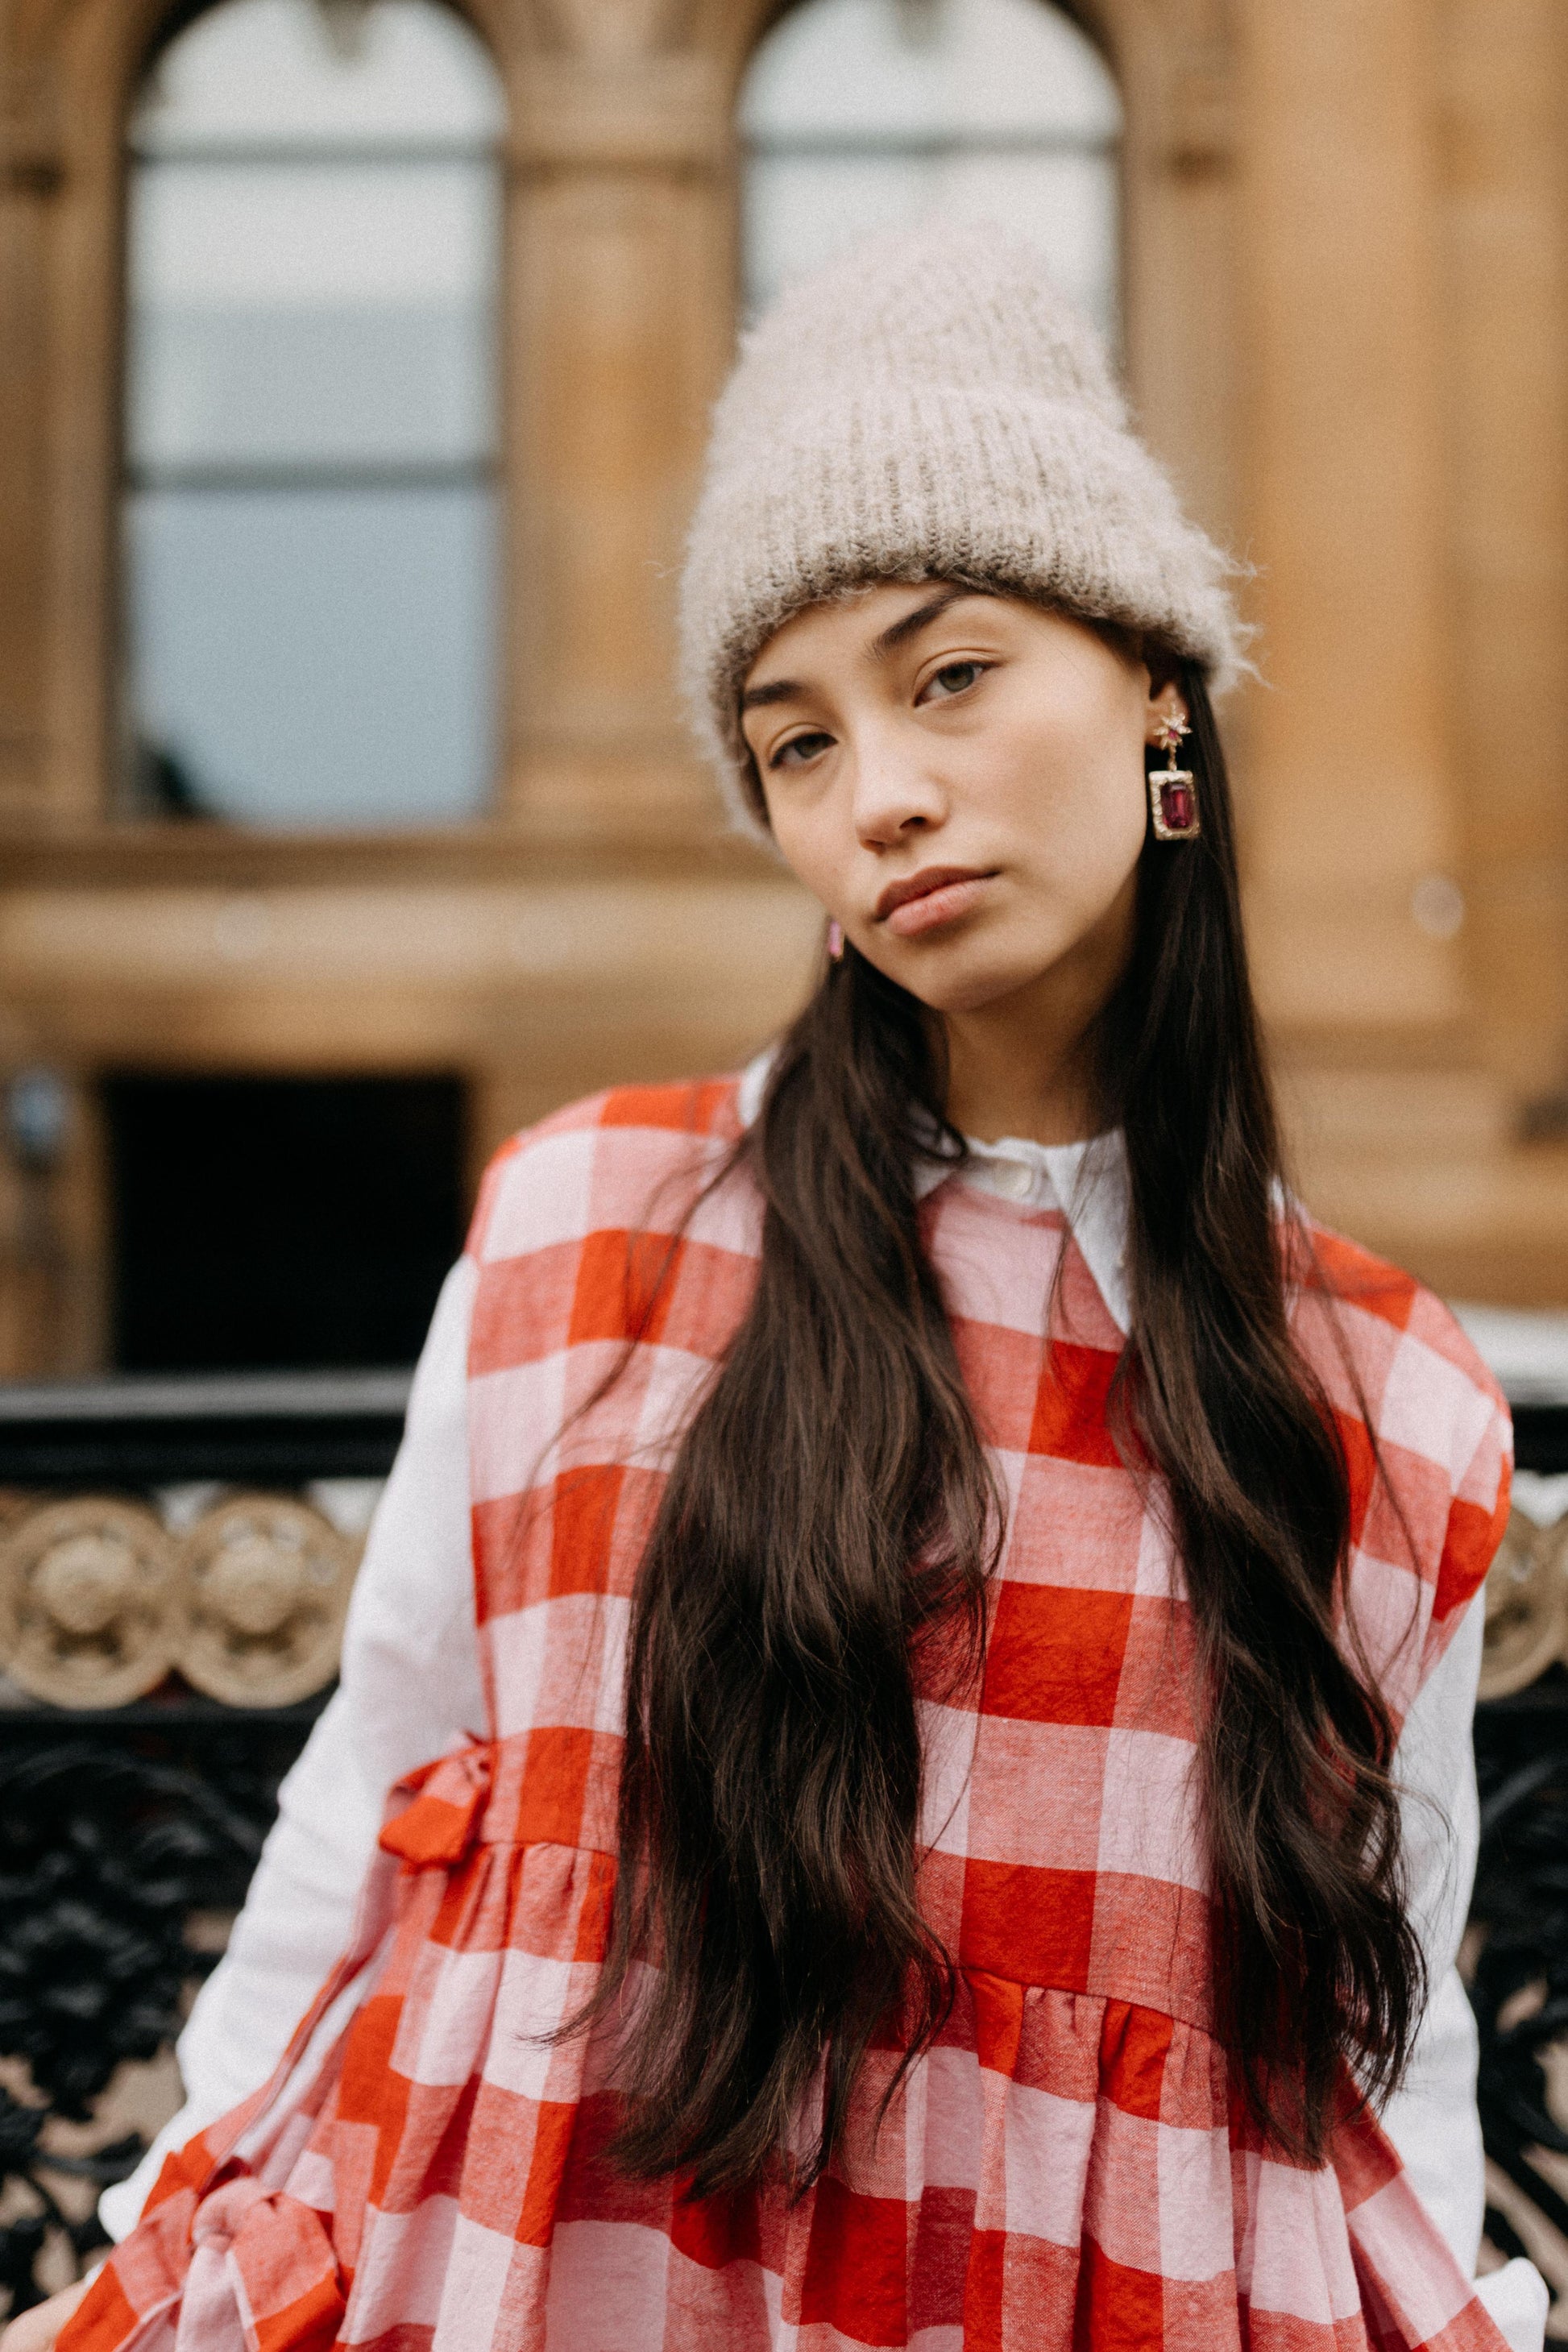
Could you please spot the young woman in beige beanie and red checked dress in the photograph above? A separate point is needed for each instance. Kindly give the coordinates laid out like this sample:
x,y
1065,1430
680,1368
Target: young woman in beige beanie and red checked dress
x,y
946,1605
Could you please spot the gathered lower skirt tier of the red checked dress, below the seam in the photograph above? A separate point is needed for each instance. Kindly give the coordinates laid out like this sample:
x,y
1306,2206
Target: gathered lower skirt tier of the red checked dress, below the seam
x,y
1064,2172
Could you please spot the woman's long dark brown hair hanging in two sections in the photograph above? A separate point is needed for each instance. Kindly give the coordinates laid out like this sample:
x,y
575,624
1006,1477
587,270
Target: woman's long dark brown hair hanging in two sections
x,y
829,1532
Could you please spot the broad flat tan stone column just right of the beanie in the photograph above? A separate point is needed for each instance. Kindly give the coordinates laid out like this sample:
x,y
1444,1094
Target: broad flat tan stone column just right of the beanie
x,y
1351,815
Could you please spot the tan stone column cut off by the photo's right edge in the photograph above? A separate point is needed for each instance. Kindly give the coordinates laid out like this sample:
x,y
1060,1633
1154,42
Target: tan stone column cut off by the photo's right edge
x,y
1506,345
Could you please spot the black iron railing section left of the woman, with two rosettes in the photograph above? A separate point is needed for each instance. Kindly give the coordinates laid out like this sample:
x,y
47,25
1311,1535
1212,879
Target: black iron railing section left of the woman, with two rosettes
x,y
156,1535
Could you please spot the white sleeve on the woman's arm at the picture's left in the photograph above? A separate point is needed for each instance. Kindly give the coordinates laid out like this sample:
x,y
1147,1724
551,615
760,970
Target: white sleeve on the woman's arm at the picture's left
x,y
410,1690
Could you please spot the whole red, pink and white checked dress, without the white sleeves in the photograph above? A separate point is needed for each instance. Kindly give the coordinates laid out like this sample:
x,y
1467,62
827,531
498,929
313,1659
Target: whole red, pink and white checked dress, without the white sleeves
x,y
1068,2170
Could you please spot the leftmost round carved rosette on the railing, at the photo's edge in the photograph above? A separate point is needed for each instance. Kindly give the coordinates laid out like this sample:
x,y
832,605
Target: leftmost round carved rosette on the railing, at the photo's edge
x,y
88,1603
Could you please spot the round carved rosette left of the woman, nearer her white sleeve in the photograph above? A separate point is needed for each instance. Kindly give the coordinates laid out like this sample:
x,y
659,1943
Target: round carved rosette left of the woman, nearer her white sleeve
x,y
267,1586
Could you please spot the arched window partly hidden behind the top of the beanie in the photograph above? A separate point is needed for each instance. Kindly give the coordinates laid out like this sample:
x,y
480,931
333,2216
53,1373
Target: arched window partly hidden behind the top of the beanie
x,y
862,114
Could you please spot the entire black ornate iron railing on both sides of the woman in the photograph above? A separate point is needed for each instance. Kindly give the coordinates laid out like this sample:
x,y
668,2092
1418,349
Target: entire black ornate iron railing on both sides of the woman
x,y
170,1535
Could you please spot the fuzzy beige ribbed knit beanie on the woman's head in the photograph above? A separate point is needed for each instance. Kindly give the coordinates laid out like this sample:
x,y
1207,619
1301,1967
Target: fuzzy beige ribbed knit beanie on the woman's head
x,y
925,408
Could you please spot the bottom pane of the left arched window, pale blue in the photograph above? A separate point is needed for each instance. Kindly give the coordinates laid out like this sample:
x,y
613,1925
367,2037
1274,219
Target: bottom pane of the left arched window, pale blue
x,y
314,657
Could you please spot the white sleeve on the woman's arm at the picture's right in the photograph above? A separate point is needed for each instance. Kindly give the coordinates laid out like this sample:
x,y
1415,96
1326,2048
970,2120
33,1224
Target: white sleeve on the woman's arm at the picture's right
x,y
1433,2118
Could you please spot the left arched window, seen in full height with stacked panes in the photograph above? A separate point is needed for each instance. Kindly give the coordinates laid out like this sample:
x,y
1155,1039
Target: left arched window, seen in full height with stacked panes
x,y
311,417
